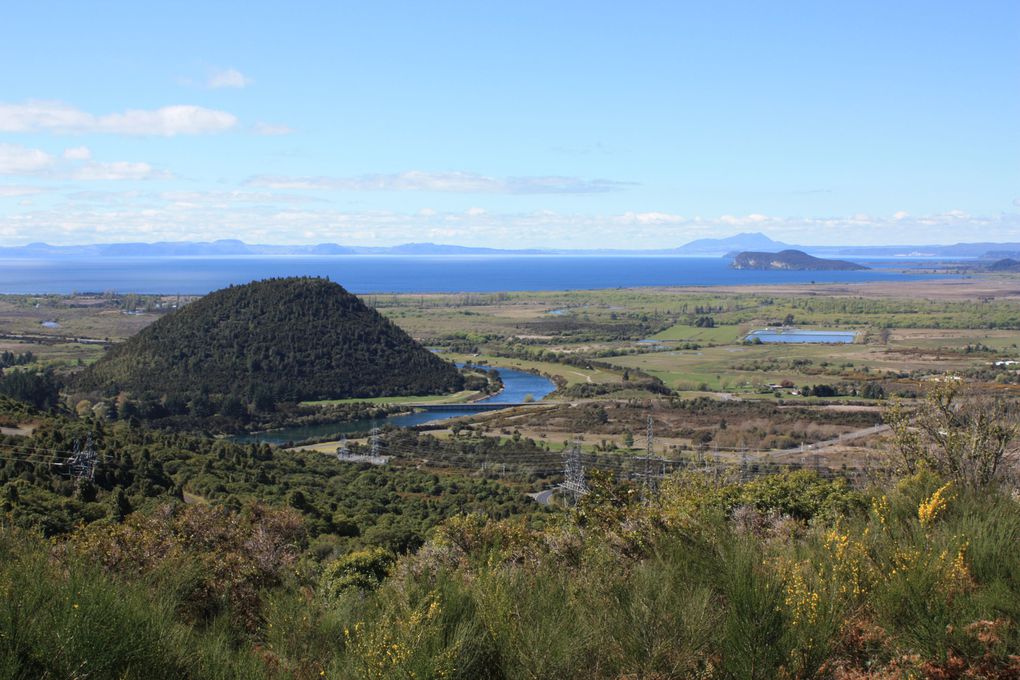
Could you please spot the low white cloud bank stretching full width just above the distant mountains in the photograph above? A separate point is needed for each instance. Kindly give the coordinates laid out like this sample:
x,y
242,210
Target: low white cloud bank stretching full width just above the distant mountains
x,y
288,219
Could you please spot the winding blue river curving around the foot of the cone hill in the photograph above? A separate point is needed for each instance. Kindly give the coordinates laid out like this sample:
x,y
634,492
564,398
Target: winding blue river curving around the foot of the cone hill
x,y
518,386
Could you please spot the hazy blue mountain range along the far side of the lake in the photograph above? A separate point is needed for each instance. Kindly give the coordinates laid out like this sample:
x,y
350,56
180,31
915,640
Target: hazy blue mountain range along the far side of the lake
x,y
728,247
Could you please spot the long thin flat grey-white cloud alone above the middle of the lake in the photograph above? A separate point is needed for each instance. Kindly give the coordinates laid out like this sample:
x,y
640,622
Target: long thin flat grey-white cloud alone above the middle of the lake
x,y
456,183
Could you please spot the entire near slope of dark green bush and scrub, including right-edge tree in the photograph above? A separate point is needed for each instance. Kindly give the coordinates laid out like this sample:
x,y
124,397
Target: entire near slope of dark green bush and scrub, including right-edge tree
x,y
287,569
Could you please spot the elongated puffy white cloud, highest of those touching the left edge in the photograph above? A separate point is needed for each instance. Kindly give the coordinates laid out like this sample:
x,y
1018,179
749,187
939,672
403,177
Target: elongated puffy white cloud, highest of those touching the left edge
x,y
36,117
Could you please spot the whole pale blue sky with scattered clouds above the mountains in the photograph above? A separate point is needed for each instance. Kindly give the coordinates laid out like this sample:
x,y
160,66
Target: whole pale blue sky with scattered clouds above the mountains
x,y
519,125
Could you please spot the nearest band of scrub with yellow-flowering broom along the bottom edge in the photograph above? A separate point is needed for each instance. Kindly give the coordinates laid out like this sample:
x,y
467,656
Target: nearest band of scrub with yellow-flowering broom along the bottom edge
x,y
786,578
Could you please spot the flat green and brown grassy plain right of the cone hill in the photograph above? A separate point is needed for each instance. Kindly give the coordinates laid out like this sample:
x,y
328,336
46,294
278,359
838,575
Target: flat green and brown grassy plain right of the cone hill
x,y
908,334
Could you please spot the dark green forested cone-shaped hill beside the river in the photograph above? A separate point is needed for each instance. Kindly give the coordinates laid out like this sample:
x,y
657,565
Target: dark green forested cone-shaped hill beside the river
x,y
280,340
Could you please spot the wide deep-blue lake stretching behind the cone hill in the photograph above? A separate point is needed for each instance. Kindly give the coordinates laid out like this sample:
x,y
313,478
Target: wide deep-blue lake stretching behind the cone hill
x,y
389,274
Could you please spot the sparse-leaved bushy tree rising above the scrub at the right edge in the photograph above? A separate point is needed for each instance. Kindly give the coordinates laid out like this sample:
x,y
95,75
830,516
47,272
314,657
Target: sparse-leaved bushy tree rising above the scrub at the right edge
x,y
963,438
